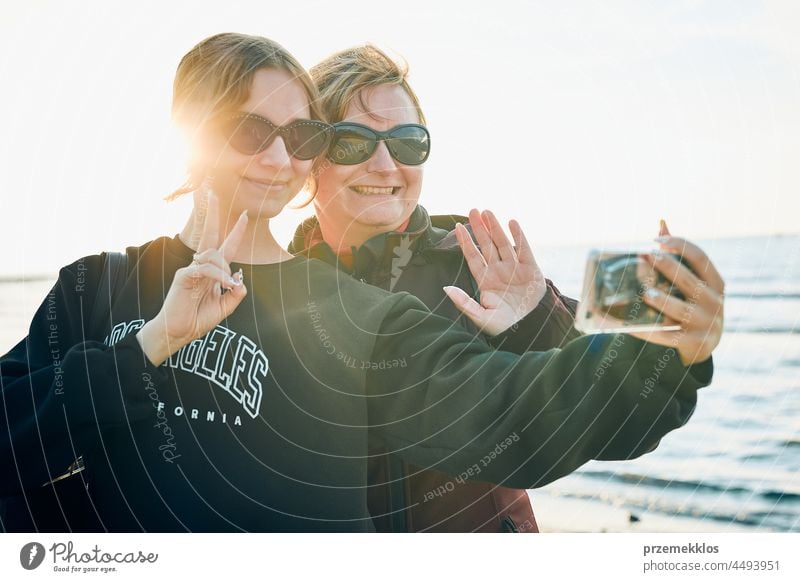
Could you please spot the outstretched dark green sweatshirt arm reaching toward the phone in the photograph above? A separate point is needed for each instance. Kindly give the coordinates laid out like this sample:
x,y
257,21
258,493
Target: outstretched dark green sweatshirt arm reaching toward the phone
x,y
600,397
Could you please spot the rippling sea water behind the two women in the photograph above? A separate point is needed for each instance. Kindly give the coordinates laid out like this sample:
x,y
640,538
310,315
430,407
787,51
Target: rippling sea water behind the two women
x,y
736,464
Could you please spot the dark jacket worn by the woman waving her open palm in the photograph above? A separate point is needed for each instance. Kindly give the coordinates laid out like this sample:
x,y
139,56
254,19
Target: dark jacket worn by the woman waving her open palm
x,y
421,260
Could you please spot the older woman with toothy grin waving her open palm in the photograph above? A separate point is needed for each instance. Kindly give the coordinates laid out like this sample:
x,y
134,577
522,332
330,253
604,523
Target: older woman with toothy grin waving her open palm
x,y
369,223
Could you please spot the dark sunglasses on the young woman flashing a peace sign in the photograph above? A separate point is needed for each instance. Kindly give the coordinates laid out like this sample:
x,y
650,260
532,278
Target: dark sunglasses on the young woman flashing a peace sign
x,y
251,134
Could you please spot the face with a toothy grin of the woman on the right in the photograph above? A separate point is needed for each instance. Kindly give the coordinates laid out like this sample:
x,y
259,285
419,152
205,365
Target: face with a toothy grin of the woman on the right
x,y
354,203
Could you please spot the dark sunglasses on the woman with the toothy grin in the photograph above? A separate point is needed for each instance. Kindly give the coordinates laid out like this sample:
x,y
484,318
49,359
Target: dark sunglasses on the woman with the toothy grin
x,y
353,143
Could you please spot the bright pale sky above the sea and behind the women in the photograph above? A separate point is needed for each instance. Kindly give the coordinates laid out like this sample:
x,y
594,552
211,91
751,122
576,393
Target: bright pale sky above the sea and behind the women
x,y
586,121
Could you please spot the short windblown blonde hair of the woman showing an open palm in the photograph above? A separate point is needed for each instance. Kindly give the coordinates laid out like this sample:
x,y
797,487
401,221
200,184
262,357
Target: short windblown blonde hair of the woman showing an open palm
x,y
341,77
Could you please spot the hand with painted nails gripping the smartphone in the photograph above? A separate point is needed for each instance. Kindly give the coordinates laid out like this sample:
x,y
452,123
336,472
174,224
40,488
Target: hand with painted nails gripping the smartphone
x,y
701,314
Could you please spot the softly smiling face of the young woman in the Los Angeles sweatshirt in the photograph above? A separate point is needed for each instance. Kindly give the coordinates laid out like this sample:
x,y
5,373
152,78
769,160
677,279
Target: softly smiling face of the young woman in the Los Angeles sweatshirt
x,y
265,182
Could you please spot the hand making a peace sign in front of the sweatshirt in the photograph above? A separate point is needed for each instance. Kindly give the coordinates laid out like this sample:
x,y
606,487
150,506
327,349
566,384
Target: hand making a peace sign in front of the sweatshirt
x,y
202,294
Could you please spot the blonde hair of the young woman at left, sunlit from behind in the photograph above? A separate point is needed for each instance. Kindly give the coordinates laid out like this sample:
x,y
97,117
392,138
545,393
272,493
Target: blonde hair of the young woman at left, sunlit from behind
x,y
215,77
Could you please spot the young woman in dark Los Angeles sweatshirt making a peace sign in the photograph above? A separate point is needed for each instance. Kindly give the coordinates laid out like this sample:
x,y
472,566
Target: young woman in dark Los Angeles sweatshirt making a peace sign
x,y
231,387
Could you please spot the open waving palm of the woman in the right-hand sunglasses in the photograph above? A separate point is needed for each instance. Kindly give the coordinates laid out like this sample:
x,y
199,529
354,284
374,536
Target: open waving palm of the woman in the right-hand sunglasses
x,y
510,282
